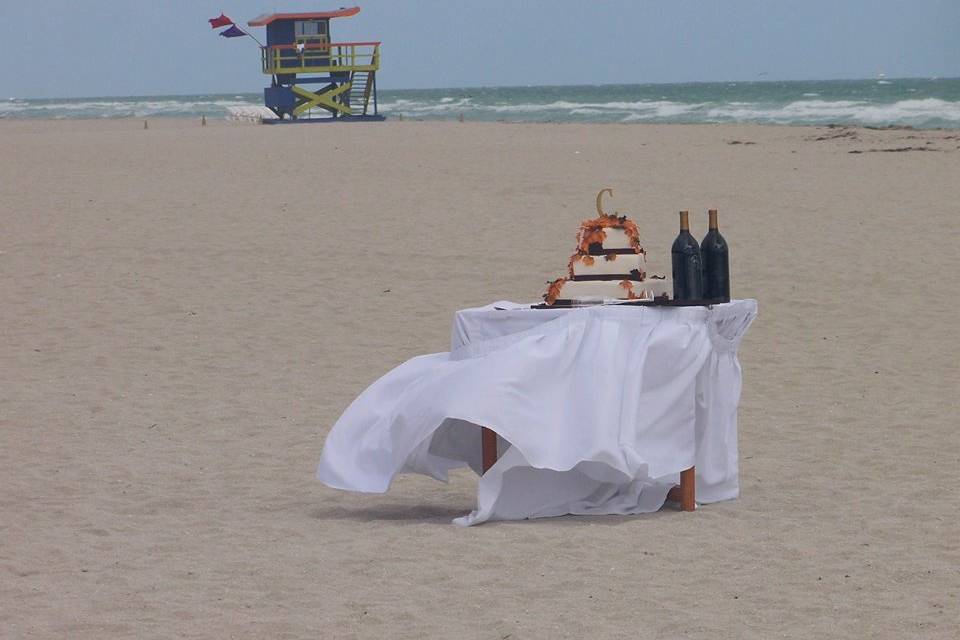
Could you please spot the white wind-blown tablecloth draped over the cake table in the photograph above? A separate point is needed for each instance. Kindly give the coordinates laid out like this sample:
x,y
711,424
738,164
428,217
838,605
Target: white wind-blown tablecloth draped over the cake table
x,y
597,409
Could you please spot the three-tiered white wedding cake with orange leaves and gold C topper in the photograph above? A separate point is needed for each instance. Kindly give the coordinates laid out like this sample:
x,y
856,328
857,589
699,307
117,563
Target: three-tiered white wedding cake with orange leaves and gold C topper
x,y
609,264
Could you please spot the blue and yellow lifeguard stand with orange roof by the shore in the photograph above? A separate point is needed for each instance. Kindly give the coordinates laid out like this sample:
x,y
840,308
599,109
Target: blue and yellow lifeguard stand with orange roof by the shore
x,y
299,52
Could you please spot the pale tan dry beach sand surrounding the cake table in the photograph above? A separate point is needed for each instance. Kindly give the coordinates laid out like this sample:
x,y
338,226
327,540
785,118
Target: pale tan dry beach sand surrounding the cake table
x,y
186,311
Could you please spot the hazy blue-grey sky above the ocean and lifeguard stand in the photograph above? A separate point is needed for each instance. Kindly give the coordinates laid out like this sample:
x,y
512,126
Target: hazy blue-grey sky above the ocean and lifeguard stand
x,y
74,48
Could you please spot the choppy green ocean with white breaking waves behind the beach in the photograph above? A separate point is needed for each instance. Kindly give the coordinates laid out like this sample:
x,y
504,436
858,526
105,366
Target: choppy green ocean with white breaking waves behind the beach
x,y
922,103
